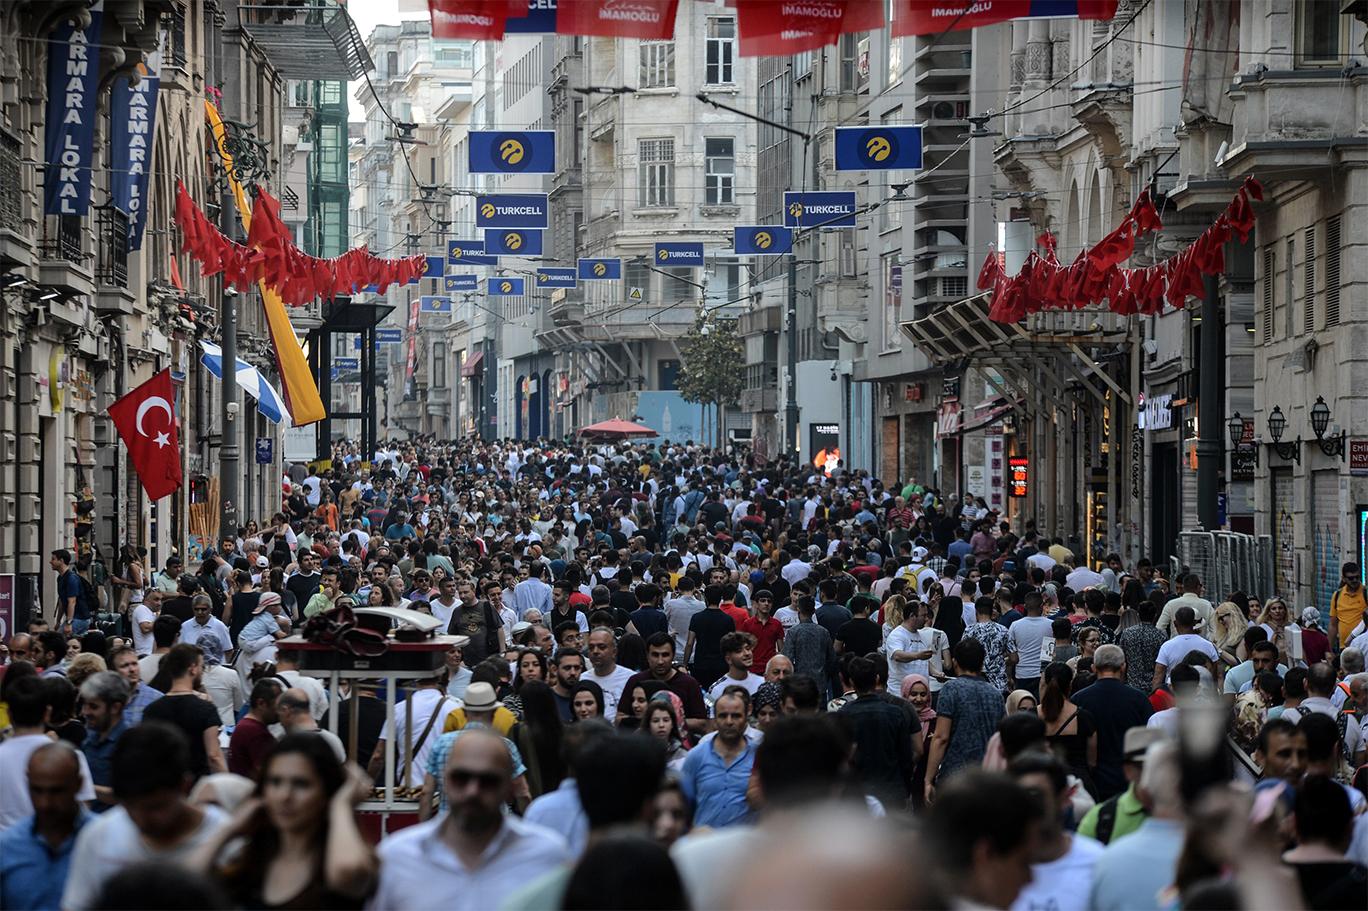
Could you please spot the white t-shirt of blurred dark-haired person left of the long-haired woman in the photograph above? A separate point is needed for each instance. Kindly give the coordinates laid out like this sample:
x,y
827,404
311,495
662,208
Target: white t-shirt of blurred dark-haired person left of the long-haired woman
x,y
111,845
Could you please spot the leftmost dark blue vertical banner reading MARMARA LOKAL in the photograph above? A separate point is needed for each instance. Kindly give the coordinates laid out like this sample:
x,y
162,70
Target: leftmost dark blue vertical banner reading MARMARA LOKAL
x,y
69,140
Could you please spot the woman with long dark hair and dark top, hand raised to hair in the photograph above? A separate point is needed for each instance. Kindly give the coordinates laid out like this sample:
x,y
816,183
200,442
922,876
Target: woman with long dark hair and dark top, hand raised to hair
x,y
302,847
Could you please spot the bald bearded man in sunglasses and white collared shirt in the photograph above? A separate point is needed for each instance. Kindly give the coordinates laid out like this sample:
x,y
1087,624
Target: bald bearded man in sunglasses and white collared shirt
x,y
426,867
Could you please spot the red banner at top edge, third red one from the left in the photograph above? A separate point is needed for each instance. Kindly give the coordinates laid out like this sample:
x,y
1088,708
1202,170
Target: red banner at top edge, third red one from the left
x,y
778,28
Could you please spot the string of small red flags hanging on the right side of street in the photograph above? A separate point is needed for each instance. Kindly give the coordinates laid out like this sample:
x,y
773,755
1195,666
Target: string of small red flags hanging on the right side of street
x,y
1095,277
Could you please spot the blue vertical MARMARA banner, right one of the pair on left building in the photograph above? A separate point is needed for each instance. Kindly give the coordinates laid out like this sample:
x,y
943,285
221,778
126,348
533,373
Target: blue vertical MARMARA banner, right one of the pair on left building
x,y
133,117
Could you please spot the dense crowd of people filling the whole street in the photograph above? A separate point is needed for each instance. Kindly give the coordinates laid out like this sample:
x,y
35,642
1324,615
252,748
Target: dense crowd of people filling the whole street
x,y
685,678
